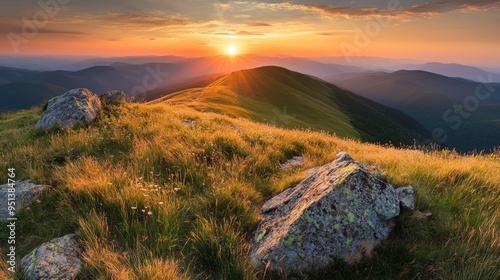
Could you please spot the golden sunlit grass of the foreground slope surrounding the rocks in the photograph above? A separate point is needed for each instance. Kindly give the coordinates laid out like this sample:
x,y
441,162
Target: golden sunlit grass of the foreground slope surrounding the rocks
x,y
153,198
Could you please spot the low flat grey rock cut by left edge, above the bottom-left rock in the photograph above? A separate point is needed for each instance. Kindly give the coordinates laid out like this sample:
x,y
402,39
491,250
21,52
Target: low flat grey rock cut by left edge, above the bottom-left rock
x,y
26,192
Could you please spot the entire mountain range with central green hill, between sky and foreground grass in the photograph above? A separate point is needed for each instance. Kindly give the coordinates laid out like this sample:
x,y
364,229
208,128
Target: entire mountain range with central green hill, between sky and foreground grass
x,y
318,94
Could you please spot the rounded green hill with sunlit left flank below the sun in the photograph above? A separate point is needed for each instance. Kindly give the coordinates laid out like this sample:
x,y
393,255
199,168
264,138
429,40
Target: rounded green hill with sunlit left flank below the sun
x,y
294,100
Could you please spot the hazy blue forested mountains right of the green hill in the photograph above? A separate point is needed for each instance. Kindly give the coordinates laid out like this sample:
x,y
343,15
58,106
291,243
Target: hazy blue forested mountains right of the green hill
x,y
453,105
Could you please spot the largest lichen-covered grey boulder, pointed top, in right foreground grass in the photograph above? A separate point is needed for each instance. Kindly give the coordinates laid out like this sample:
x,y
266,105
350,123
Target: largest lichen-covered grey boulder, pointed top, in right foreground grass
x,y
341,211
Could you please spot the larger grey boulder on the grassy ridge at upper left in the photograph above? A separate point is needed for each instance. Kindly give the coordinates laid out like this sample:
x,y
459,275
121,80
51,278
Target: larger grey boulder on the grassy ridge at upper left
x,y
77,106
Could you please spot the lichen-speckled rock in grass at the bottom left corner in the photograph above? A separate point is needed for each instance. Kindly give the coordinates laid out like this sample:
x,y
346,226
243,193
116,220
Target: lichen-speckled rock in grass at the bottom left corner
x,y
58,259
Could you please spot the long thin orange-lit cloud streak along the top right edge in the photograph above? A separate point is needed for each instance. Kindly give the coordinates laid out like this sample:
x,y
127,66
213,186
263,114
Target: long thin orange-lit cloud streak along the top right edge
x,y
395,8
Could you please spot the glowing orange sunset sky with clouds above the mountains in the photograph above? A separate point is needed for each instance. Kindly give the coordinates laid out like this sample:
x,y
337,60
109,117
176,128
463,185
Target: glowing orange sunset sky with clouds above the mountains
x,y
448,31
